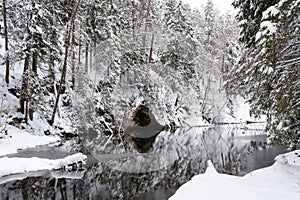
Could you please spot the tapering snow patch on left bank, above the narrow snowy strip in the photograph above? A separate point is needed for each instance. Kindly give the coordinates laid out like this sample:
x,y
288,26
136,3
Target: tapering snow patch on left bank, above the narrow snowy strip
x,y
21,139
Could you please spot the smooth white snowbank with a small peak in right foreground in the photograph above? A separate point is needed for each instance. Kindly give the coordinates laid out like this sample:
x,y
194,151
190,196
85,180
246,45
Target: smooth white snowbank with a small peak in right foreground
x,y
277,182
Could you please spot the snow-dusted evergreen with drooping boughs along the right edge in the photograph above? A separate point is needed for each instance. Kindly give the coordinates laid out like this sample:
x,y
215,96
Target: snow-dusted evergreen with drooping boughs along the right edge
x,y
271,67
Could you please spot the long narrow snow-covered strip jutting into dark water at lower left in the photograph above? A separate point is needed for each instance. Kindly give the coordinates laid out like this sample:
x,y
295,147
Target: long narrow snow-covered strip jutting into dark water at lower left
x,y
21,165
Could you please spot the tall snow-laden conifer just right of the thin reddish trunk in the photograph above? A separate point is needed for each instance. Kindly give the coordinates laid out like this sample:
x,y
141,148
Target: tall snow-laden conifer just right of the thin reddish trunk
x,y
178,56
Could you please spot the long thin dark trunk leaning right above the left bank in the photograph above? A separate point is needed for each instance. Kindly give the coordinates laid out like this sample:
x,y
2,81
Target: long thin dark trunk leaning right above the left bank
x,y
63,74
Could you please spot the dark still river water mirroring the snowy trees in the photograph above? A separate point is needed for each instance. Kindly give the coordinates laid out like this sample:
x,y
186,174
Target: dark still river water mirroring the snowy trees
x,y
174,158
